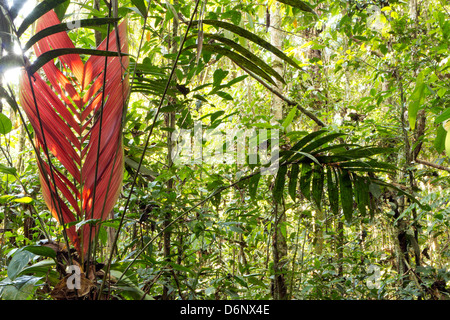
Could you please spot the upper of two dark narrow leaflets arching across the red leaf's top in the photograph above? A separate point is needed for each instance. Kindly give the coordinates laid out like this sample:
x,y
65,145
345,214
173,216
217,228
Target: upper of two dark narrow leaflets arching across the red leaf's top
x,y
70,25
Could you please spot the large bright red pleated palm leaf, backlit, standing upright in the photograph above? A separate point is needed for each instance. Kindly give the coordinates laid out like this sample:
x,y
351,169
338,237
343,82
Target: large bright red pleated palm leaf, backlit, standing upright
x,y
80,127
